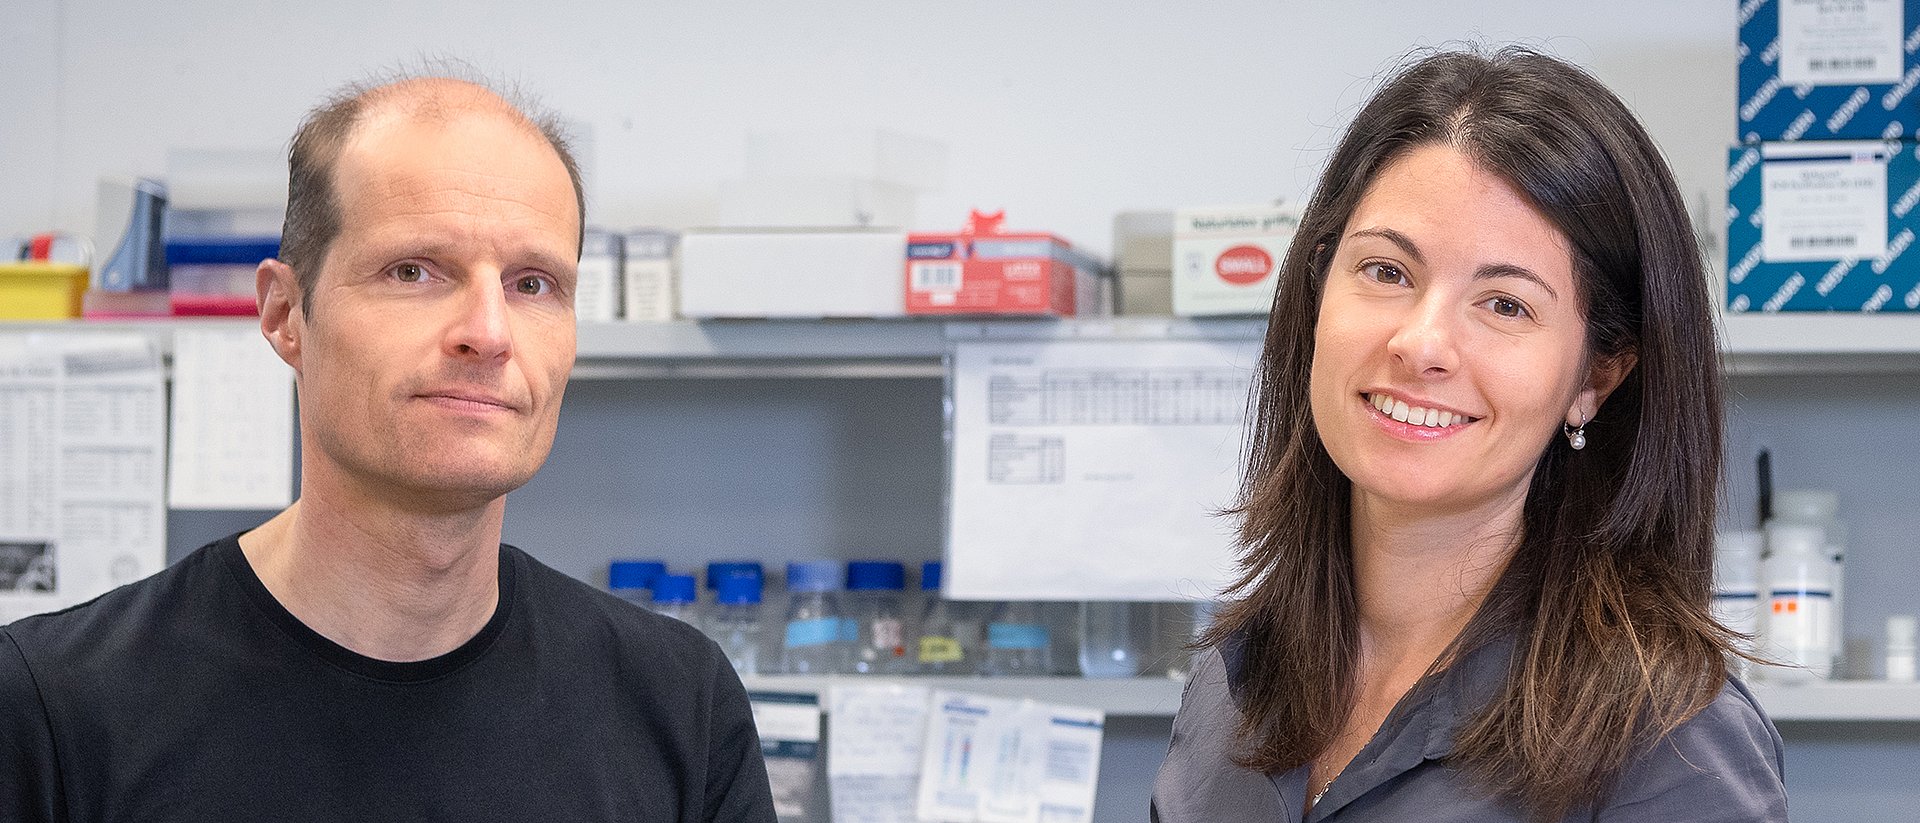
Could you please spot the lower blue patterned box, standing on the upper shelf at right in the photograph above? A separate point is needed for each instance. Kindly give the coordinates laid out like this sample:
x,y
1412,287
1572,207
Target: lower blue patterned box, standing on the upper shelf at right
x,y
1825,225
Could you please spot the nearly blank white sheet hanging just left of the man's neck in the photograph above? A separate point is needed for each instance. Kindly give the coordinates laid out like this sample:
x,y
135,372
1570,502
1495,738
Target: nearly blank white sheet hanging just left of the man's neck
x,y
233,421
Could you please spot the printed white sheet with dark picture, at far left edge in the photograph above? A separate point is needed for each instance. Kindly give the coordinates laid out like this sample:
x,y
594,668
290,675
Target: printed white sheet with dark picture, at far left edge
x,y
82,467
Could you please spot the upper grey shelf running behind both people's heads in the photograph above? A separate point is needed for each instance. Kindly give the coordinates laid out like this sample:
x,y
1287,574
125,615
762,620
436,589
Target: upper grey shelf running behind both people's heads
x,y
913,348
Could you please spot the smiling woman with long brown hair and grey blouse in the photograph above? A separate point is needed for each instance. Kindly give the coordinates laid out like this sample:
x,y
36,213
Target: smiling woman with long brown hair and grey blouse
x,y
1477,515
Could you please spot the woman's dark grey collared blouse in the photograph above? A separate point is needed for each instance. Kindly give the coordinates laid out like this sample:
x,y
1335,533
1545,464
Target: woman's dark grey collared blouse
x,y
1721,766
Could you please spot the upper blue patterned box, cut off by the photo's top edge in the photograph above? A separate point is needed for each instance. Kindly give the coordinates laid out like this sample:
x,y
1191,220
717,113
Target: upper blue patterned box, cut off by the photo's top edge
x,y
1829,70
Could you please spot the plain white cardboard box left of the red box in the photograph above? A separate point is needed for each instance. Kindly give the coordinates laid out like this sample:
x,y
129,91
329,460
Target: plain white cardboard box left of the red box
x,y
792,273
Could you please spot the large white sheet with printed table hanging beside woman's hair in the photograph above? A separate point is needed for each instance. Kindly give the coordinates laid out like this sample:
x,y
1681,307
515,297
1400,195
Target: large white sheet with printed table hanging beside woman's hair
x,y
1093,469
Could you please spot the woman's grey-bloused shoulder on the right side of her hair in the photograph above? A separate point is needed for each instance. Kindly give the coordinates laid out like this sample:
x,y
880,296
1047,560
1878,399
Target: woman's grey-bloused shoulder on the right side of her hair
x,y
1727,763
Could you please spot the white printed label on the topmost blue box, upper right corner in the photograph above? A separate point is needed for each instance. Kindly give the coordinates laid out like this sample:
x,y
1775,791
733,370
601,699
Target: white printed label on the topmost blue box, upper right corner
x,y
1829,43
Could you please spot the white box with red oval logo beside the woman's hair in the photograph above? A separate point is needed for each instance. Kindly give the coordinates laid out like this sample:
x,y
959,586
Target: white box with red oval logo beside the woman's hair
x,y
1226,260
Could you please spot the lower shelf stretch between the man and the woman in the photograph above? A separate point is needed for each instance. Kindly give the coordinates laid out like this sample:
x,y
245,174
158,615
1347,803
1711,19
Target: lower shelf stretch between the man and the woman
x,y
1120,697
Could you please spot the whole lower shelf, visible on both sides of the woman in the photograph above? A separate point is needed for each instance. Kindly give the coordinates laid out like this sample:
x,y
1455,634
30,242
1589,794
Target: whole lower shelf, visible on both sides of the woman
x,y
1161,697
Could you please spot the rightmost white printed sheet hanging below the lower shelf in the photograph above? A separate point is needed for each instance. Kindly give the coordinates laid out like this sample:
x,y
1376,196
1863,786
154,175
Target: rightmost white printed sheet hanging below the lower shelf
x,y
999,761
